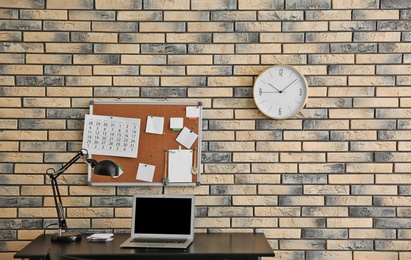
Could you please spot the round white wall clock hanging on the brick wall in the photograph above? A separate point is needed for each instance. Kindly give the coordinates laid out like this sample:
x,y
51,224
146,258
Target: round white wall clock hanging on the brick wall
x,y
280,92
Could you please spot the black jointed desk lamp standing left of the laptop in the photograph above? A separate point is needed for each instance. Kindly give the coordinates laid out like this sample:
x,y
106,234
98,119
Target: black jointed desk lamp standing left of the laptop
x,y
104,167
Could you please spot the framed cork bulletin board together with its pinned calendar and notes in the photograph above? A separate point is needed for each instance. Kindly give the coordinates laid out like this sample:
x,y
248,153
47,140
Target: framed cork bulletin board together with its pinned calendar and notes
x,y
150,155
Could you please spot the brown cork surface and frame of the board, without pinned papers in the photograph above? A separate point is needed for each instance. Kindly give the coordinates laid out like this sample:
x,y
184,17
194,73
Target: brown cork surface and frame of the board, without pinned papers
x,y
152,148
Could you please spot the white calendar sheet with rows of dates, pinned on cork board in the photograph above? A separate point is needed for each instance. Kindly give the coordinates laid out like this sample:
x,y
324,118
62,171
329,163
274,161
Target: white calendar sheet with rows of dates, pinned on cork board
x,y
112,136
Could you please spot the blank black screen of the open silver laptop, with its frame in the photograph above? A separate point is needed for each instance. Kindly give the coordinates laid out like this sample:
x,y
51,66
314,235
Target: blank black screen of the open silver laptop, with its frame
x,y
163,214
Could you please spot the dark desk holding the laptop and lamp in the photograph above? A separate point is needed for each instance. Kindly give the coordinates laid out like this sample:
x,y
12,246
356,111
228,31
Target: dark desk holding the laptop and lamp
x,y
222,246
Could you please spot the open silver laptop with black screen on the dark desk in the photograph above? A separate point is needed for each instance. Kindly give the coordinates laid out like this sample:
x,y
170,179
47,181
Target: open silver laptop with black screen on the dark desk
x,y
161,221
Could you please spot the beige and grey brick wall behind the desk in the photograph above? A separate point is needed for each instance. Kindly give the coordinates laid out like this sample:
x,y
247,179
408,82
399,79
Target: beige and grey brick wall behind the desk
x,y
333,182
